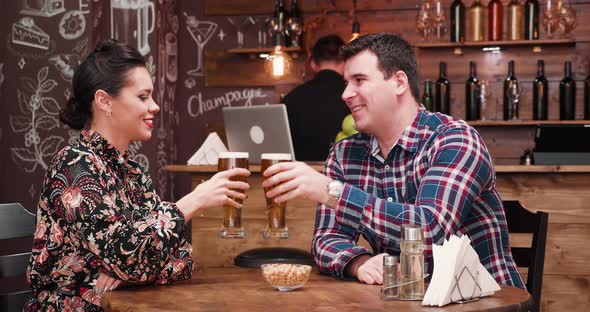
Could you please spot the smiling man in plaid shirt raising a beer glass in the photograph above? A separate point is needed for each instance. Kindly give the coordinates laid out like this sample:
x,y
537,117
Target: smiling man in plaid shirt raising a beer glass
x,y
407,165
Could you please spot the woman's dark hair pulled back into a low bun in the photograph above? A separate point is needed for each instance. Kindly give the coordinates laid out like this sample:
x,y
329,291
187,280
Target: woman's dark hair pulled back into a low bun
x,y
105,69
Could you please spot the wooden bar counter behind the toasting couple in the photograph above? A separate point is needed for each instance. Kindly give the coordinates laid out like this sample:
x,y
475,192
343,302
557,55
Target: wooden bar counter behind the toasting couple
x,y
561,191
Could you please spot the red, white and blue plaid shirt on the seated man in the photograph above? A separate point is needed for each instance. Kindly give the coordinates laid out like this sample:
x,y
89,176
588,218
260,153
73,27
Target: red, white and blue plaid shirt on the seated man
x,y
439,174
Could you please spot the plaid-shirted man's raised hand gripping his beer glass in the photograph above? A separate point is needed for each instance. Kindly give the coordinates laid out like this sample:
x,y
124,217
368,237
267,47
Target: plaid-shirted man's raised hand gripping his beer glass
x,y
295,180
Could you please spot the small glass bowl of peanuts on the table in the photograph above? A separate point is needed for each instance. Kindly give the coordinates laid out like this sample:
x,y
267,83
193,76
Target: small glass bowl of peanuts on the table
x,y
285,277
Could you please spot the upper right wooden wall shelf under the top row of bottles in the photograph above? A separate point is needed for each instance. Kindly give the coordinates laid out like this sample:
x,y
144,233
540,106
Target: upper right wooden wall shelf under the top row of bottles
x,y
536,45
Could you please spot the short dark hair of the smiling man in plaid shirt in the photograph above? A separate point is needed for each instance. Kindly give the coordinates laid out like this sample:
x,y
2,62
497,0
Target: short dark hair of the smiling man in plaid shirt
x,y
393,54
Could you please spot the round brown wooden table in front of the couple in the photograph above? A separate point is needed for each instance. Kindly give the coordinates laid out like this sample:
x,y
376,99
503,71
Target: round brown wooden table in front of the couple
x,y
239,289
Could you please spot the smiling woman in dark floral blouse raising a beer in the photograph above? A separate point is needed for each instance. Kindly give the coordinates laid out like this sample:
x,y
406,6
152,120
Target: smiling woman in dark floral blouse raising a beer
x,y
99,219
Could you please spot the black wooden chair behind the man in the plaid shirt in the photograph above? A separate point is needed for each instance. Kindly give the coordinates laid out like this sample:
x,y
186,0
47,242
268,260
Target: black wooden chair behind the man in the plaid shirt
x,y
520,220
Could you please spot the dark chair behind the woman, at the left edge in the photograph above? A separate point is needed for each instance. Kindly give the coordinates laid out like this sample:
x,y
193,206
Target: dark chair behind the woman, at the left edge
x,y
15,222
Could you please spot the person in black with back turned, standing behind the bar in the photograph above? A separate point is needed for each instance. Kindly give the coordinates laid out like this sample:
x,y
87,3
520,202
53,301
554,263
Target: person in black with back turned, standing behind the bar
x,y
315,108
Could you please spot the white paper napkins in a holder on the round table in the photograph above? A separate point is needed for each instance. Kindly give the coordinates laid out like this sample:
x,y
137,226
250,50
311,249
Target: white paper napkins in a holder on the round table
x,y
457,263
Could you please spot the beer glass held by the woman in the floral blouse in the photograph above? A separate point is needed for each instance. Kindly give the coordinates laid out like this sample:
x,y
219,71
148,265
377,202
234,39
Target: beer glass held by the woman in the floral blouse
x,y
232,216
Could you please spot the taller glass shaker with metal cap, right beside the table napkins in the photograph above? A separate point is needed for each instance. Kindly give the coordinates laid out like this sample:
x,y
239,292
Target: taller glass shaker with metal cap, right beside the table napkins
x,y
412,262
